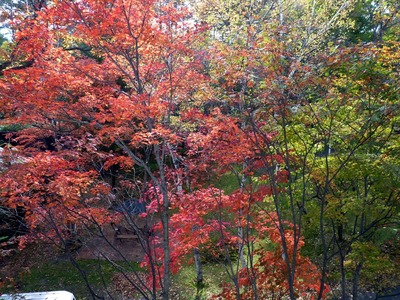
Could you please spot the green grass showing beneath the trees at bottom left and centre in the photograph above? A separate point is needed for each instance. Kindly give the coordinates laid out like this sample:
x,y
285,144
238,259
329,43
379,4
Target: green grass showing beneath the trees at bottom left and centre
x,y
62,275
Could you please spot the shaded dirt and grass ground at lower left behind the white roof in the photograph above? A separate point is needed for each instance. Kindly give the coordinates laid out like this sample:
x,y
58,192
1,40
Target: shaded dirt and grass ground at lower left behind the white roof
x,y
42,267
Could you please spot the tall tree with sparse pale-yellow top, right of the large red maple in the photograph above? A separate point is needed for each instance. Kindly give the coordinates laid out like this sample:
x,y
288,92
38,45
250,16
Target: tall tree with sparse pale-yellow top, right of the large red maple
x,y
272,79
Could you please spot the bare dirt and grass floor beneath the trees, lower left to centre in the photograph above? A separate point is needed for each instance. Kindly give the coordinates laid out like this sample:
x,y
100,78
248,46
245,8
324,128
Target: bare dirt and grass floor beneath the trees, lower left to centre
x,y
39,267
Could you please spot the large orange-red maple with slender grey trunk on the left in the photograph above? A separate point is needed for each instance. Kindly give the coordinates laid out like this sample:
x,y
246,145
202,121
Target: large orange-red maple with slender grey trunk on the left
x,y
105,82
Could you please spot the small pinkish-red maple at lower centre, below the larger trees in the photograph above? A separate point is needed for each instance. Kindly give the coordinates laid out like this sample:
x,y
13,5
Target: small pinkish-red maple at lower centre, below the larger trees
x,y
217,218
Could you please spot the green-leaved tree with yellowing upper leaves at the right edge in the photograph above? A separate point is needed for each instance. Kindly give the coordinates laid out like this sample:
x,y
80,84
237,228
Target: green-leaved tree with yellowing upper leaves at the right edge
x,y
354,151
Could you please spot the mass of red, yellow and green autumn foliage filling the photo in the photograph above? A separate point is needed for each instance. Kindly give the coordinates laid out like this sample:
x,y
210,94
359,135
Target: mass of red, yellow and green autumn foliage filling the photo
x,y
104,101
